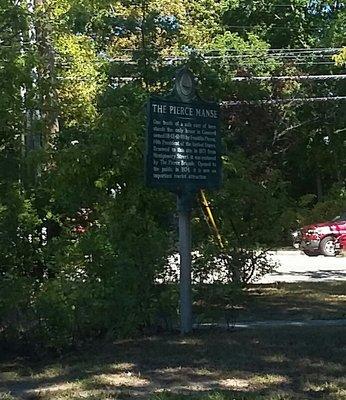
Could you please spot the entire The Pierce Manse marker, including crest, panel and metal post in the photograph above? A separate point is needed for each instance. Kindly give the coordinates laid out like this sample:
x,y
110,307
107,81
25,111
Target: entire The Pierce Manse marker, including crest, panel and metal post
x,y
183,156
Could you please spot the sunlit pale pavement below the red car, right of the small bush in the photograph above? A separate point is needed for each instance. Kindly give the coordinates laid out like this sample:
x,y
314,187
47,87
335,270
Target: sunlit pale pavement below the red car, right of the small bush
x,y
295,267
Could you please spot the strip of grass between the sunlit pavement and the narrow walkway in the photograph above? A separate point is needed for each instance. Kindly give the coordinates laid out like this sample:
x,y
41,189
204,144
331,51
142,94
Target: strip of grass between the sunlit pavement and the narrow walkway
x,y
282,301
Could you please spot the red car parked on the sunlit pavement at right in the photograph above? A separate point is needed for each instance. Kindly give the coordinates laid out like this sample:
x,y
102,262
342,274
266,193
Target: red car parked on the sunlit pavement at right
x,y
320,238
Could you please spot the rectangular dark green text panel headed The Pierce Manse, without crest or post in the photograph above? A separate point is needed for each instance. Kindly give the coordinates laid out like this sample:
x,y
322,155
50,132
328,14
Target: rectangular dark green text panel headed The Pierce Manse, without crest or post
x,y
183,145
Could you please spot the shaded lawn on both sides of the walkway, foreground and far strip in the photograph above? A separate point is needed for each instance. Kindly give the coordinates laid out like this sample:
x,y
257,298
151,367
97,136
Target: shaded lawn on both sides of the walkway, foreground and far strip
x,y
265,364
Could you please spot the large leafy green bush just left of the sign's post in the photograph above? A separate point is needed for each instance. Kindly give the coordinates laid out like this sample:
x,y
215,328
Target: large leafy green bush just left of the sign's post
x,y
95,284
